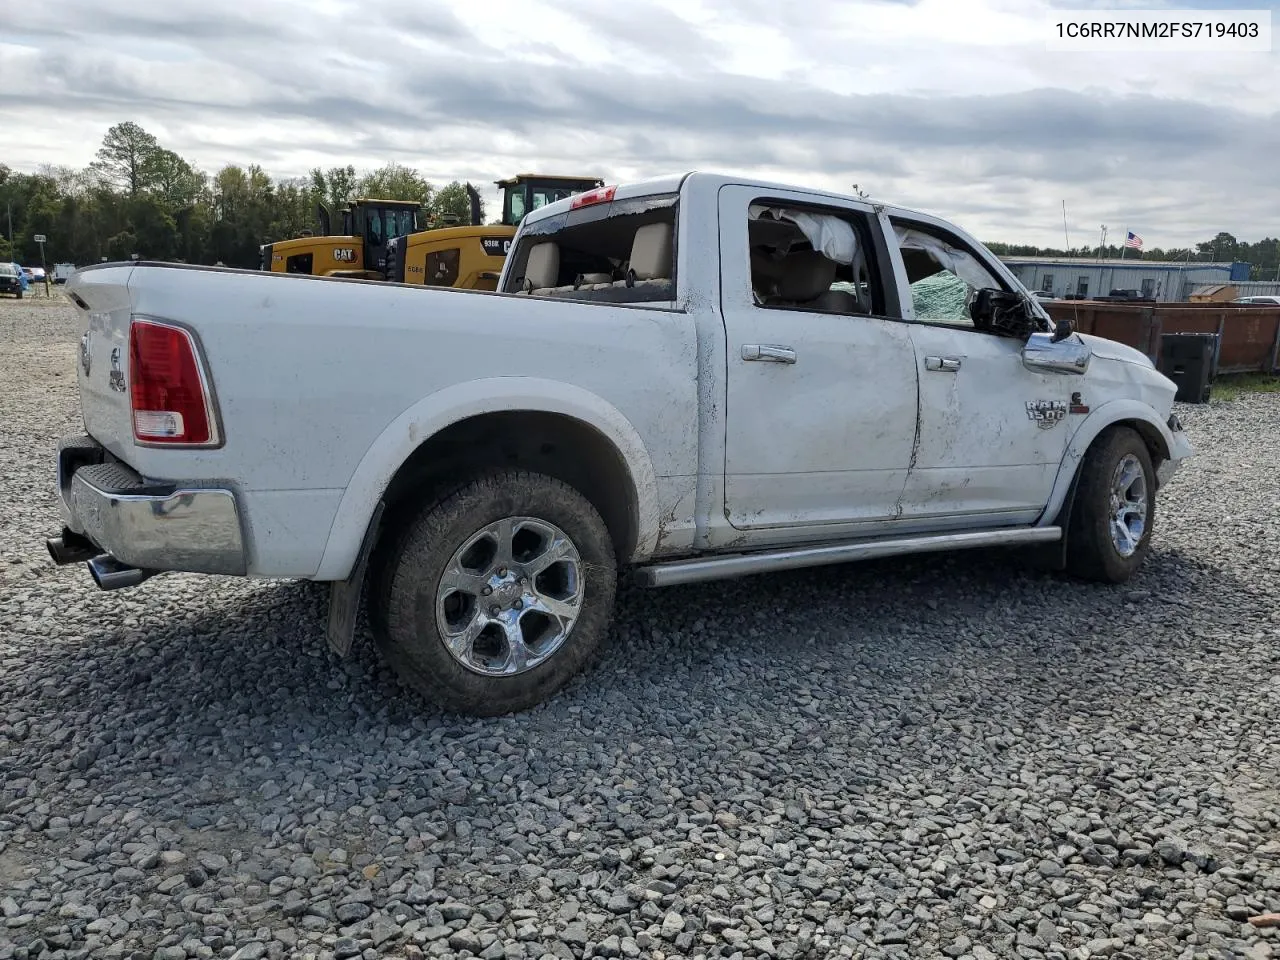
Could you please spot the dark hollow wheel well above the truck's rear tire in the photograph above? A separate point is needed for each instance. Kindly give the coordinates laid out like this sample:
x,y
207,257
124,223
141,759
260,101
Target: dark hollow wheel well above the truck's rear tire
x,y
559,446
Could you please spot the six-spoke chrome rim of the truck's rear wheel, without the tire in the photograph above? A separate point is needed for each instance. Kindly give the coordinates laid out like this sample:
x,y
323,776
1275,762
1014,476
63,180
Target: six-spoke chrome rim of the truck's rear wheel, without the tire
x,y
510,596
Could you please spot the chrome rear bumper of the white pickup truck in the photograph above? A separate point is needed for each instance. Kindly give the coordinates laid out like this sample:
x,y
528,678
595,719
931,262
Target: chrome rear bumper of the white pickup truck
x,y
152,525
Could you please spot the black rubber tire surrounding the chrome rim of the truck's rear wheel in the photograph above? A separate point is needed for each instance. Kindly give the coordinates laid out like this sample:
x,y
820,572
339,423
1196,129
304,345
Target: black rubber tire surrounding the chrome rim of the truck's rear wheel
x,y
410,563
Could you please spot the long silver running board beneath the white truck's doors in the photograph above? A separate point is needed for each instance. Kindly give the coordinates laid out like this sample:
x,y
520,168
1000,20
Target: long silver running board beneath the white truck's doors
x,y
693,572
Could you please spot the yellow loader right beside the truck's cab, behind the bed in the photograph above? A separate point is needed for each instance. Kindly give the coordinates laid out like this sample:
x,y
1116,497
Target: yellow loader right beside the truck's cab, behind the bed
x,y
472,257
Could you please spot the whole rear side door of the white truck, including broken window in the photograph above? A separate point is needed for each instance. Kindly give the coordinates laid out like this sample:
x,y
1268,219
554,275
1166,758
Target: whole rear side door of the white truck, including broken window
x,y
822,391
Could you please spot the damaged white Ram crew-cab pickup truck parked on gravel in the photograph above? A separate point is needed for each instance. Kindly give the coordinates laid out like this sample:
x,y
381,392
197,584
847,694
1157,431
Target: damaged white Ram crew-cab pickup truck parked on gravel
x,y
693,378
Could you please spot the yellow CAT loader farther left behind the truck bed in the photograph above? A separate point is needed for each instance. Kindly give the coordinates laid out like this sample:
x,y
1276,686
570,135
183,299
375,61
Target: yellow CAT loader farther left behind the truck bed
x,y
359,252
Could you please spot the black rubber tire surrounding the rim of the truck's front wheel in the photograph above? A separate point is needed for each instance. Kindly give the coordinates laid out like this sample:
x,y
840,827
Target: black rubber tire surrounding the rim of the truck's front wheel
x,y
1091,551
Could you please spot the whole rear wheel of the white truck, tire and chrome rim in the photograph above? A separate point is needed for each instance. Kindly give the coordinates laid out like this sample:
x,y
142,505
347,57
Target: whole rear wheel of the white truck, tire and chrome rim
x,y
493,598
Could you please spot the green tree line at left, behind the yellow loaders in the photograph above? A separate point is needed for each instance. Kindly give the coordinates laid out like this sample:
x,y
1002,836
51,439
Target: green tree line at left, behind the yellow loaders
x,y
139,198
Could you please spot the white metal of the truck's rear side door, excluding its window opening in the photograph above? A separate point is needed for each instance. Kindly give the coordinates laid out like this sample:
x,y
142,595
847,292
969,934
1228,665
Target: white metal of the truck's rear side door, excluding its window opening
x,y
821,408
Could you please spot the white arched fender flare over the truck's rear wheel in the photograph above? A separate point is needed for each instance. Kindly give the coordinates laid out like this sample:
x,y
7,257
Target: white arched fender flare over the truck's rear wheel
x,y
431,415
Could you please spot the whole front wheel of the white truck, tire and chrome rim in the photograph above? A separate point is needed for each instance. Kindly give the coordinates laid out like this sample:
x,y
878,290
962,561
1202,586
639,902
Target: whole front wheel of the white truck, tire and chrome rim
x,y
1114,511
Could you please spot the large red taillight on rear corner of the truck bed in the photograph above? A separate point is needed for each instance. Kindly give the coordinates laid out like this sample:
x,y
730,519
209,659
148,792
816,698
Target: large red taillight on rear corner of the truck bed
x,y
167,391
